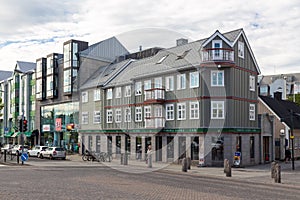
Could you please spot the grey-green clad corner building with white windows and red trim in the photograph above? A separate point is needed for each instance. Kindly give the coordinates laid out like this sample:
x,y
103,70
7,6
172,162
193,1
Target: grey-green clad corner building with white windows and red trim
x,y
195,100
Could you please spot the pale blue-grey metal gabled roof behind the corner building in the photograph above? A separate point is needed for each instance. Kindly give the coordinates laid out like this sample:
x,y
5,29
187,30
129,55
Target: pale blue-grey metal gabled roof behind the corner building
x,y
106,50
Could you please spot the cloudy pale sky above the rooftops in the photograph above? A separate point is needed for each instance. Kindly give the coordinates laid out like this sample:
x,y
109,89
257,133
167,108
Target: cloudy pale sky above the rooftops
x,y
33,29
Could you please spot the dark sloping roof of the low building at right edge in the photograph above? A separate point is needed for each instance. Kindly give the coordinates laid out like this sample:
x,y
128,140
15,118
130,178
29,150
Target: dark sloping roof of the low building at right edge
x,y
283,108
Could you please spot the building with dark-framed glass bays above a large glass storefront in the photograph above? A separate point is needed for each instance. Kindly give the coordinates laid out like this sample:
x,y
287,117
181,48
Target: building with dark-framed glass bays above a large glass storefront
x,y
58,77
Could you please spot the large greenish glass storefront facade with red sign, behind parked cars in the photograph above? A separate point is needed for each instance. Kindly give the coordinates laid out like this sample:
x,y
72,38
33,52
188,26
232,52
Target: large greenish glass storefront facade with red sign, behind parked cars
x,y
54,122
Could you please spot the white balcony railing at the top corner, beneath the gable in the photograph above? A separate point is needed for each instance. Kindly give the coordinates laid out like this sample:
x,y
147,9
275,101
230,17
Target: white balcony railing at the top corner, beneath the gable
x,y
217,55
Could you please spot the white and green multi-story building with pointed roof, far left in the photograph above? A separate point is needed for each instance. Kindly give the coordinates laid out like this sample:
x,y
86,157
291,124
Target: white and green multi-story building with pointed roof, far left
x,y
19,101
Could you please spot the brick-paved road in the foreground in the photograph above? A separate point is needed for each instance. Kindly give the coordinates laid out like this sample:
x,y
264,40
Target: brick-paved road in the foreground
x,y
101,182
